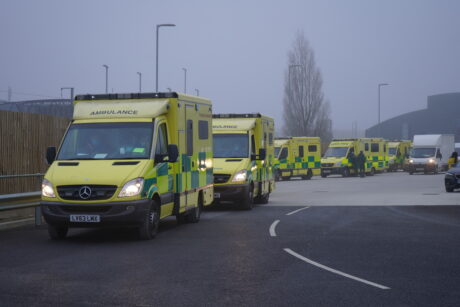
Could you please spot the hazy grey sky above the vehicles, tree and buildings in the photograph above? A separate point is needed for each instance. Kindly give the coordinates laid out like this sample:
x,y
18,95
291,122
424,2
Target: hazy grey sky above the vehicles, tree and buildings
x,y
235,51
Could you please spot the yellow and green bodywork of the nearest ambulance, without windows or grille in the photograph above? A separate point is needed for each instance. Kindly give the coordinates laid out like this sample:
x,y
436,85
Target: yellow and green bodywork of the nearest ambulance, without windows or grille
x,y
181,181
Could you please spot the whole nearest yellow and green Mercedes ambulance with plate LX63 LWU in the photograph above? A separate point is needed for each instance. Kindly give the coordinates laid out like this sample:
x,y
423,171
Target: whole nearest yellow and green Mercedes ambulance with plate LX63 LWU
x,y
130,160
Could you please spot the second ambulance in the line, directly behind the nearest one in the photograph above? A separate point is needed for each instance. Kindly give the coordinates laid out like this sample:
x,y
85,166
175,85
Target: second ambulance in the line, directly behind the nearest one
x,y
243,158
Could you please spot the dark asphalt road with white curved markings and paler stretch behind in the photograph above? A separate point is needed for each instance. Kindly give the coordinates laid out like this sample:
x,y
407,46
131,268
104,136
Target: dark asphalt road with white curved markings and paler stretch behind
x,y
324,242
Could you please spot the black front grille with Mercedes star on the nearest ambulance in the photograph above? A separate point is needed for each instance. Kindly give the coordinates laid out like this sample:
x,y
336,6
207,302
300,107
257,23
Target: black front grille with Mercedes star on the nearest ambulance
x,y
95,192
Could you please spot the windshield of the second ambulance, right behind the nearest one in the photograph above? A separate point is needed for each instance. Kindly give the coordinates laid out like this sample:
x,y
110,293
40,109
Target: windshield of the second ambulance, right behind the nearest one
x,y
231,145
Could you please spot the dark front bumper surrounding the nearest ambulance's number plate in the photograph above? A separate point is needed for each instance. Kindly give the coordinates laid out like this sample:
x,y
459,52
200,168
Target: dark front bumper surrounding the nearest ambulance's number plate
x,y
129,214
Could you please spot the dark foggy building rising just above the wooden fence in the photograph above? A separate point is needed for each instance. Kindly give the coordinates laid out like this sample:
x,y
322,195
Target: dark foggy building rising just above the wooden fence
x,y
55,107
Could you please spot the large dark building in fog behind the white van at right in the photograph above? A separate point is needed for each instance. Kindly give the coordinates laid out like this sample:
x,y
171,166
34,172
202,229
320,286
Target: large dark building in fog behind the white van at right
x,y
442,116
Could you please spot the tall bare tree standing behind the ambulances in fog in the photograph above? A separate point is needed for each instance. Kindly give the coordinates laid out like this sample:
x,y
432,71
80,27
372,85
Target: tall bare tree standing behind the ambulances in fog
x,y
305,111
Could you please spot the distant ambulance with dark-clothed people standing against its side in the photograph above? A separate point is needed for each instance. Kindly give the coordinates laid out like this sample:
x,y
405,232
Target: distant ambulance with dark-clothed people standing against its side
x,y
336,158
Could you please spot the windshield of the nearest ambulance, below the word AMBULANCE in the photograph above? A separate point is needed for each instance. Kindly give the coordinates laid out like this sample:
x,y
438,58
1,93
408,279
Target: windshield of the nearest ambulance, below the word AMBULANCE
x,y
107,141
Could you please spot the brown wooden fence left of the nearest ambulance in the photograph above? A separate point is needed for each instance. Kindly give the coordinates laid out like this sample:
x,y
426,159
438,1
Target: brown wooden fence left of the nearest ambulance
x,y
24,138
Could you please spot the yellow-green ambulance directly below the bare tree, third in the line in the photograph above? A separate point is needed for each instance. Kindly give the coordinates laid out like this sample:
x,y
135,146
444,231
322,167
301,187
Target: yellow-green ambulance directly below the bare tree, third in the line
x,y
297,157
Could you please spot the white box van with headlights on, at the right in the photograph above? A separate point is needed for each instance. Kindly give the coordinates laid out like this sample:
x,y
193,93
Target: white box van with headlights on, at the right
x,y
430,153
